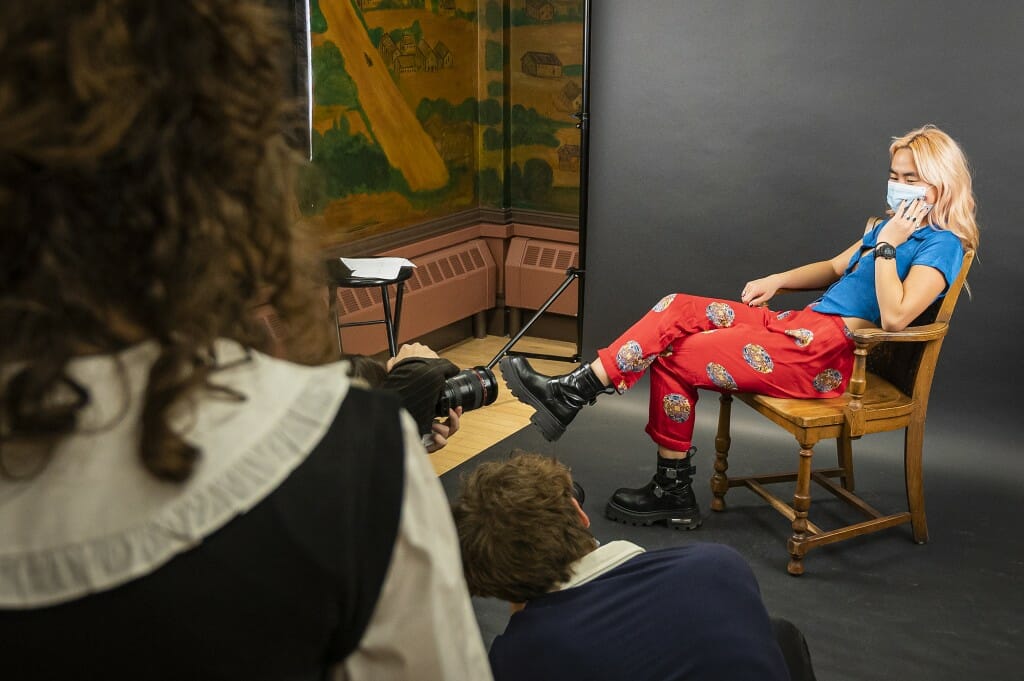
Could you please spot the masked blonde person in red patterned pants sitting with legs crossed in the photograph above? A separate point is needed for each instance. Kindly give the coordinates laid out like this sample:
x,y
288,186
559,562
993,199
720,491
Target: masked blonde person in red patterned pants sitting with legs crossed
x,y
886,279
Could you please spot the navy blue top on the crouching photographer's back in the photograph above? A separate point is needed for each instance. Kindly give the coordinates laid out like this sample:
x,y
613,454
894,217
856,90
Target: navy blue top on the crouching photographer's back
x,y
690,613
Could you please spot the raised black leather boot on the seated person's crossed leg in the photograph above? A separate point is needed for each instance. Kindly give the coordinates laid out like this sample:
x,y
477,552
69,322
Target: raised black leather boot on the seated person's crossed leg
x,y
557,399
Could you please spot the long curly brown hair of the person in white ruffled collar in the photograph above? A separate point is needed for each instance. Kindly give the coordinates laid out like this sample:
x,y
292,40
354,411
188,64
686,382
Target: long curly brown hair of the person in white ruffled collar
x,y
145,178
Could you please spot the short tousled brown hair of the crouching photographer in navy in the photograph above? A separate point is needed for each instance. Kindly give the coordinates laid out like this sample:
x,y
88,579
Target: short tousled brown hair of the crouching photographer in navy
x,y
519,529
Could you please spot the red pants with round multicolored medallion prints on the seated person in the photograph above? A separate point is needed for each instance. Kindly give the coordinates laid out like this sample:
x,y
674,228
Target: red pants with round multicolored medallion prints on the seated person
x,y
690,343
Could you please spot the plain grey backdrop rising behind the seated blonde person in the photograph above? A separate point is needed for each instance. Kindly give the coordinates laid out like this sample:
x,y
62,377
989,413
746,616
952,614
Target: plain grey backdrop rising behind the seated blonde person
x,y
732,140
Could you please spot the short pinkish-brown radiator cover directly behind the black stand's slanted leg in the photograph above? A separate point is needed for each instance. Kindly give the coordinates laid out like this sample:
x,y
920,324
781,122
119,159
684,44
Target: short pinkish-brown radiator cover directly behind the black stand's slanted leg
x,y
535,269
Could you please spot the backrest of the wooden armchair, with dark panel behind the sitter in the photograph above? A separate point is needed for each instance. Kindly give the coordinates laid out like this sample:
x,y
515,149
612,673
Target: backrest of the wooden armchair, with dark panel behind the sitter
x,y
911,366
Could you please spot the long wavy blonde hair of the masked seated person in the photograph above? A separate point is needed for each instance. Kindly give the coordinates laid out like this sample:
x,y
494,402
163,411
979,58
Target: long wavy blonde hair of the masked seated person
x,y
942,163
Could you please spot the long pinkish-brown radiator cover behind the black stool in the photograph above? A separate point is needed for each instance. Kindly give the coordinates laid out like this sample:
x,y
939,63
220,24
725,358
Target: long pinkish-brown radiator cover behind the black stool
x,y
447,286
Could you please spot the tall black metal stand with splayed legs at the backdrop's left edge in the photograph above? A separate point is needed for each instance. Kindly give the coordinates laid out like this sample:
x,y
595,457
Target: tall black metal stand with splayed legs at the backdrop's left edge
x,y
573,274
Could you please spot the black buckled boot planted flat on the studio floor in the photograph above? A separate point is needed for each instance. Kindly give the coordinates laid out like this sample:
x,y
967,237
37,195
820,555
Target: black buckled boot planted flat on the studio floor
x,y
668,497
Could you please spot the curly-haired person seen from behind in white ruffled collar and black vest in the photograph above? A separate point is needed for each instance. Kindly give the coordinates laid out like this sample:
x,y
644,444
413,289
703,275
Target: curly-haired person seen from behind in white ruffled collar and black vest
x,y
176,504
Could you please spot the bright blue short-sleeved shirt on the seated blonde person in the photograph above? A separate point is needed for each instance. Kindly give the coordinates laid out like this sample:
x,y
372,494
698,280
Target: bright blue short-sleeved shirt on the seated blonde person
x,y
854,294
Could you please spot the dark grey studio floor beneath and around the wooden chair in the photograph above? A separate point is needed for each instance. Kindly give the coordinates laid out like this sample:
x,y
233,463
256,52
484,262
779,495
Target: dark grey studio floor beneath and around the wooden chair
x,y
874,608
